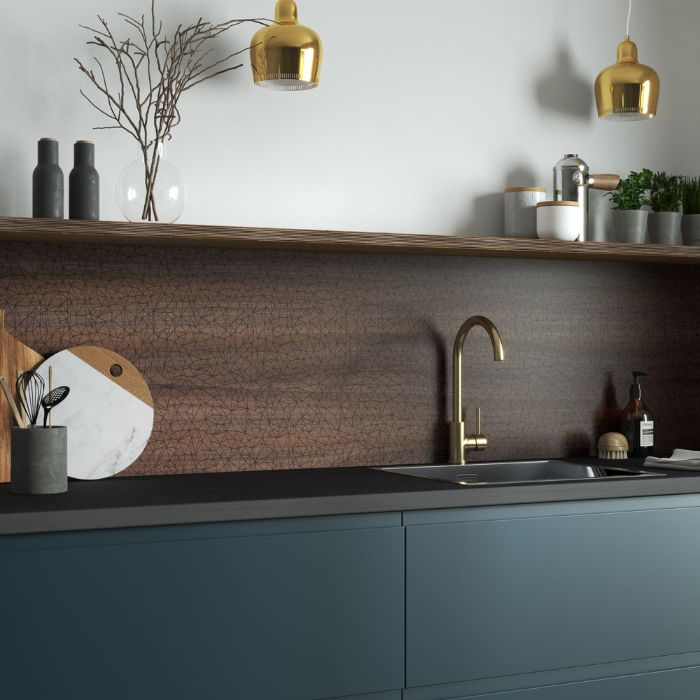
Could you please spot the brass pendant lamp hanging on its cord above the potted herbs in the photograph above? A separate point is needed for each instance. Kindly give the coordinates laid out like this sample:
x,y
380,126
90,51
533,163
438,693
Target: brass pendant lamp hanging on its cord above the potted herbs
x,y
628,90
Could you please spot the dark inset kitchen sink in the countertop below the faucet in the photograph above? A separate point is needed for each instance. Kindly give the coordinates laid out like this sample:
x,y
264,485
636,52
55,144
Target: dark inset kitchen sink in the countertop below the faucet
x,y
532,471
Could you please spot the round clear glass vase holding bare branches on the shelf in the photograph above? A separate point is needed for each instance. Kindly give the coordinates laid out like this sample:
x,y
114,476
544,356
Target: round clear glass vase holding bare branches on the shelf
x,y
151,188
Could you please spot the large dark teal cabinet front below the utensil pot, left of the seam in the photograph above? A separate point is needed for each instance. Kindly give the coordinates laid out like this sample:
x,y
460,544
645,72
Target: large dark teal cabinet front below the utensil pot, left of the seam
x,y
296,615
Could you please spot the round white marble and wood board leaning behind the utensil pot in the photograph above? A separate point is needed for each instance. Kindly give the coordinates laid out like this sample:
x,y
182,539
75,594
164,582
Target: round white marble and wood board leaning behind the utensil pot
x,y
109,426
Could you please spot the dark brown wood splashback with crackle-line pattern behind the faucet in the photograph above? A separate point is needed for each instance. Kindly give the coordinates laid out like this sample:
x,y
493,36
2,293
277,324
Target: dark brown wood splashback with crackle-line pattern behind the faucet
x,y
272,359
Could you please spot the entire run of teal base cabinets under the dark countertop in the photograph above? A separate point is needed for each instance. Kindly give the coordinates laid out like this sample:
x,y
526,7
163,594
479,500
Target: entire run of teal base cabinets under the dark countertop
x,y
590,600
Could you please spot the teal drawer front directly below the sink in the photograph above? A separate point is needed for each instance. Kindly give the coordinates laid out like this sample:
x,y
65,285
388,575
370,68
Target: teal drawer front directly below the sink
x,y
524,594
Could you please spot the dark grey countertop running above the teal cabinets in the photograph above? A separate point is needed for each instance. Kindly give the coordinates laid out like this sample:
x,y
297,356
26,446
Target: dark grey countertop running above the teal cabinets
x,y
202,498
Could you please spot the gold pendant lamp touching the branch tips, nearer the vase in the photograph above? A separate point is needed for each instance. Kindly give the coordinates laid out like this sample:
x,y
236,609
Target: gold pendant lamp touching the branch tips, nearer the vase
x,y
286,55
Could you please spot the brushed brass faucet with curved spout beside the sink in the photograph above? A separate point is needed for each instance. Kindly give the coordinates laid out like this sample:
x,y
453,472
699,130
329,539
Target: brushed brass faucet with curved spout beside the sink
x,y
459,442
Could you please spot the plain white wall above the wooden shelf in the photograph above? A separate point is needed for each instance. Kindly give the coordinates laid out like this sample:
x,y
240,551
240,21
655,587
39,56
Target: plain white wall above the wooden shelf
x,y
426,110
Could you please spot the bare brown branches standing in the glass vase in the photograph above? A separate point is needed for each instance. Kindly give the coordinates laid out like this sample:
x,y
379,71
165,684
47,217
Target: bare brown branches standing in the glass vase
x,y
152,73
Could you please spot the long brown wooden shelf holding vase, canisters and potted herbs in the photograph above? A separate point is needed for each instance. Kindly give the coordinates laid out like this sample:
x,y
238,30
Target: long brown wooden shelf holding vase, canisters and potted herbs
x,y
112,232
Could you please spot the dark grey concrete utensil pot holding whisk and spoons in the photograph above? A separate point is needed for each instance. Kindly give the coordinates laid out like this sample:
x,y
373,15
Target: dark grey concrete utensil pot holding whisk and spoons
x,y
39,460
